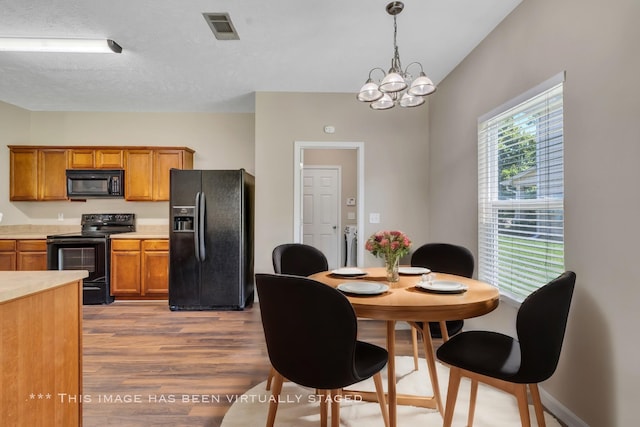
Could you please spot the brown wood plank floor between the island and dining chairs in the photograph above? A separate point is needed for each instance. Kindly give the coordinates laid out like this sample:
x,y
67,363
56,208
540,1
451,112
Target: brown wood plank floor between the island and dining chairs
x,y
145,365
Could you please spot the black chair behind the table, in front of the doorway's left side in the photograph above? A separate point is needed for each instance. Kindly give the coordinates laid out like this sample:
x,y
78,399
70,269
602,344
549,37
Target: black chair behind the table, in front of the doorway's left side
x,y
298,259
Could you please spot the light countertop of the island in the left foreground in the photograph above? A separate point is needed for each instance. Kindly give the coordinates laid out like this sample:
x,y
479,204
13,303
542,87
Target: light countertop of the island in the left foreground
x,y
16,284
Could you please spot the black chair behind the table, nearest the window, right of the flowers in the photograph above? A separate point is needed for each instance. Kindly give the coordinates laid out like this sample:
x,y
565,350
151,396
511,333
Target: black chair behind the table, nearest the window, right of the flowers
x,y
443,258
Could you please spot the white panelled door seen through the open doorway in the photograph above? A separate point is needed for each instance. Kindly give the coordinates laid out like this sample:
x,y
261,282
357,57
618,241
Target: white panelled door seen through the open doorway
x,y
321,211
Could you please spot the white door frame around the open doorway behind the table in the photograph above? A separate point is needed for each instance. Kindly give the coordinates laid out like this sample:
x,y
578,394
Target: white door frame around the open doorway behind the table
x,y
298,165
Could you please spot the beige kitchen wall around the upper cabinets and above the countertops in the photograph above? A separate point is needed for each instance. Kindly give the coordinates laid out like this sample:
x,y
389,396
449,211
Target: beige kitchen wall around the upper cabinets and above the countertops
x,y
221,141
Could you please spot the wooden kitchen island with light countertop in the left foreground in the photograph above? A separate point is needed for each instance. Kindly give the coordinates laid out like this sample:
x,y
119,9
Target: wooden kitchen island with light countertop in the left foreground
x,y
41,347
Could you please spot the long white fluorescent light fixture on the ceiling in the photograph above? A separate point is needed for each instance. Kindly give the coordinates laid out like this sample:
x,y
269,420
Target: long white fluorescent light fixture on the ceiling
x,y
14,44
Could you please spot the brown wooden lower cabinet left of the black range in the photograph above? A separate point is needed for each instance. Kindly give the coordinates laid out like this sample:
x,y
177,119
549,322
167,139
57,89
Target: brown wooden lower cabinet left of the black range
x,y
23,255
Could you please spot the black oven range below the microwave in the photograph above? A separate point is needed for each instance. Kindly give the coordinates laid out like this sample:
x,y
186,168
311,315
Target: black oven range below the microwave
x,y
90,250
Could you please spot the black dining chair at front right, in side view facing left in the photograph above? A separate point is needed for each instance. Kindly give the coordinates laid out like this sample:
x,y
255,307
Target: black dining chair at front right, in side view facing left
x,y
513,364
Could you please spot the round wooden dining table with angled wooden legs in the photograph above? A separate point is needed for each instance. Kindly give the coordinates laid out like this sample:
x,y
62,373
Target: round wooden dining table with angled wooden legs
x,y
403,301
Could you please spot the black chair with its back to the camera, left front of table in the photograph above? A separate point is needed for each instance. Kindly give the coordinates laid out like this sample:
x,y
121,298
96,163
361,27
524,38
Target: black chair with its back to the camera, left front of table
x,y
313,347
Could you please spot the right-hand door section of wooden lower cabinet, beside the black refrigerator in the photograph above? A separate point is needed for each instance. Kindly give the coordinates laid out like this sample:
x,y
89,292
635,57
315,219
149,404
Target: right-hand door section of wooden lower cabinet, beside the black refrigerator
x,y
155,268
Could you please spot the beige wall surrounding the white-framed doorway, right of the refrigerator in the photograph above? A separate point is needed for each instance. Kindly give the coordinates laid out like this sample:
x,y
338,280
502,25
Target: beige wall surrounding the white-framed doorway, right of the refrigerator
x,y
396,156
